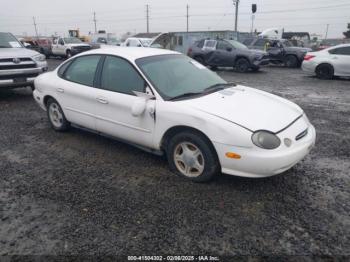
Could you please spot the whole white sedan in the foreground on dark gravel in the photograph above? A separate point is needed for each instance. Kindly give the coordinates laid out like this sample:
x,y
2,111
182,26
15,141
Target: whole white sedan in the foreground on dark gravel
x,y
167,103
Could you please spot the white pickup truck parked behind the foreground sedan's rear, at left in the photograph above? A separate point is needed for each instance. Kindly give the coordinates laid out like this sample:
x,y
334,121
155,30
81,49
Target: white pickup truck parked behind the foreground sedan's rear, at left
x,y
68,46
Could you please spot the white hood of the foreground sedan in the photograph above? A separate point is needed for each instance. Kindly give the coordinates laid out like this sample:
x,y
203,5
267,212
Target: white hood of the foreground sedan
x,y
248,107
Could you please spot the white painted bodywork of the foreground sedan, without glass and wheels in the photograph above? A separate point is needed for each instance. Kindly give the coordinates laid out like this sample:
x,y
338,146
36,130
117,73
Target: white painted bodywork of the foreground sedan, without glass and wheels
x,y
227,118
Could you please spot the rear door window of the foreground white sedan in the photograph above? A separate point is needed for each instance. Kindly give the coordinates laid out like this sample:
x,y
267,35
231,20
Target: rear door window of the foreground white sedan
x,y
82,70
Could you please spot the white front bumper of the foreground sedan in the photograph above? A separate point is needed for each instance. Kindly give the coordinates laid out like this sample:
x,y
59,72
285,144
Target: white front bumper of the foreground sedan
x,y
256,162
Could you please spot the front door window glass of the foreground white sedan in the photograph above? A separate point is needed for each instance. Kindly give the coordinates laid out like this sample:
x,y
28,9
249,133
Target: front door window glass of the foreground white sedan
x,y
120,76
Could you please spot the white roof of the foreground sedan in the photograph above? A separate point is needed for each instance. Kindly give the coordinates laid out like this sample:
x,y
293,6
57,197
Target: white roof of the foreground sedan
x,y
130,53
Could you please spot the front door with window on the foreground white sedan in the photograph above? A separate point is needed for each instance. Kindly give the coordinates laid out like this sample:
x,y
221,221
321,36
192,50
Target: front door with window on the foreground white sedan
x,y
115,99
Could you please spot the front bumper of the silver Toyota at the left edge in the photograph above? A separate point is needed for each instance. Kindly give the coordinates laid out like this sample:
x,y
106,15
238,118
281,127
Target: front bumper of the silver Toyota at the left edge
x,y
21,77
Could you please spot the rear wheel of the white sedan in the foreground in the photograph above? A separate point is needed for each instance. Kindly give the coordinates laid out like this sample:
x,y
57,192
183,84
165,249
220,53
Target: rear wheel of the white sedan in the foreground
x,y
56,116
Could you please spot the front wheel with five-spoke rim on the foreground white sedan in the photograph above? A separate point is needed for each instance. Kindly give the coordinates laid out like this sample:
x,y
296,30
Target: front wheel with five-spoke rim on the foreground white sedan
x,y
190,155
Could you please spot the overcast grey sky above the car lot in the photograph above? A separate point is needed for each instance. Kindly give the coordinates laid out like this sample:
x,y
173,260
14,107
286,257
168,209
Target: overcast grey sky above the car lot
x,y
120,16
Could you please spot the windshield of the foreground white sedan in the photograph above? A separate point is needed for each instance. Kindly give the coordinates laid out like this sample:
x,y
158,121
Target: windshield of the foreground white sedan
x,y
178,76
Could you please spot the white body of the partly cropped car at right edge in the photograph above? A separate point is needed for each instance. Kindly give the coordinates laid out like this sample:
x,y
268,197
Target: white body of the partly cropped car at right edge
x,y
340,63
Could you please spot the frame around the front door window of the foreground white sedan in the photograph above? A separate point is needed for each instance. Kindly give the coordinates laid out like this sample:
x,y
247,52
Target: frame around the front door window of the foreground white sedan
x,y
98,77
